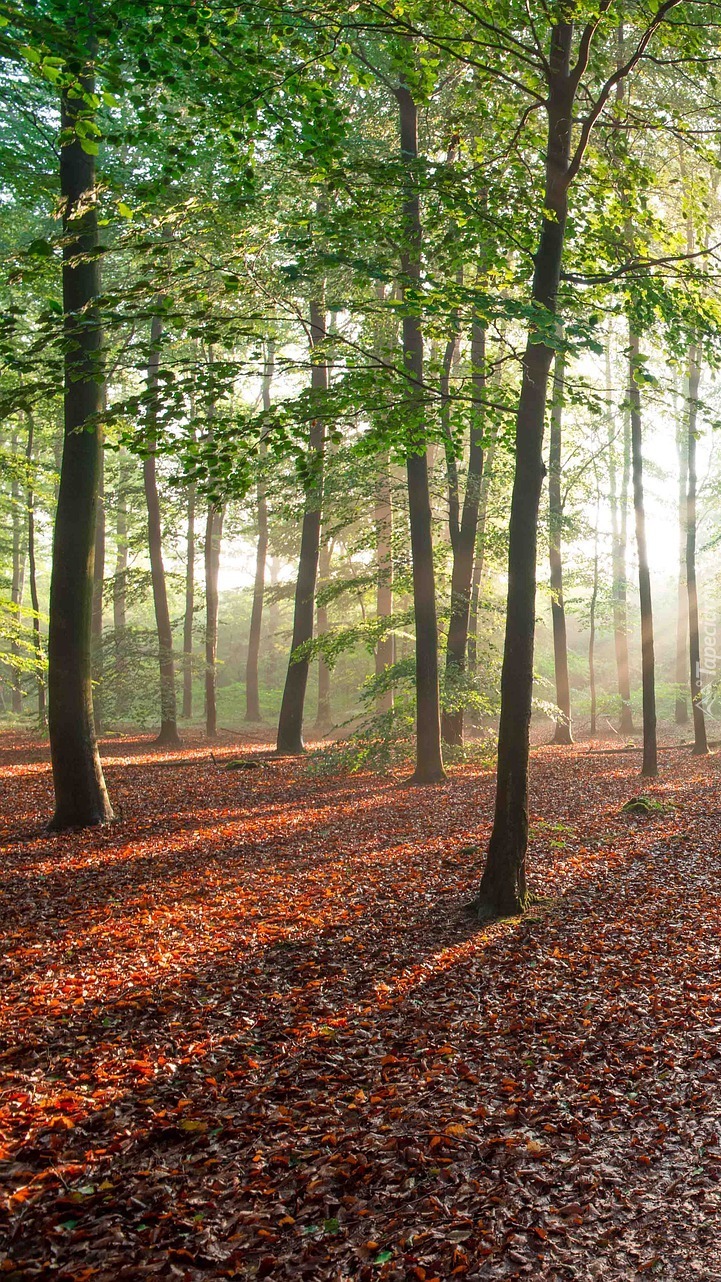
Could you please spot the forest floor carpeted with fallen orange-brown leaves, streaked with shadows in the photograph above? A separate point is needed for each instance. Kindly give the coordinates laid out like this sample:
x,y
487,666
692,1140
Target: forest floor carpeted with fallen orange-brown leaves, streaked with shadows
x,y
252,1031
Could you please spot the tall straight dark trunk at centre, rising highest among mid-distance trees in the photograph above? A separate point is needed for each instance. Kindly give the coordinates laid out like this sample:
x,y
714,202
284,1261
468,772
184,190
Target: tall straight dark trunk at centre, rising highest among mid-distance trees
x,y
429,760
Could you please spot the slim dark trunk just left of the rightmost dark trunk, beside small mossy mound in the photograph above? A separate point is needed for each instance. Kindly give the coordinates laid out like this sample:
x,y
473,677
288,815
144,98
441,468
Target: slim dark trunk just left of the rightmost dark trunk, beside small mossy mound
x,y
649,663
